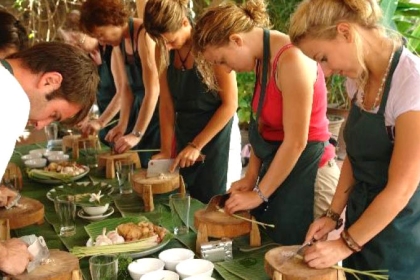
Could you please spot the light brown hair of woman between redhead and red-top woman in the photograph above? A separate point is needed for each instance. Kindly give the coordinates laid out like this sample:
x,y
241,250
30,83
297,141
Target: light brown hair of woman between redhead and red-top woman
x,y
163,16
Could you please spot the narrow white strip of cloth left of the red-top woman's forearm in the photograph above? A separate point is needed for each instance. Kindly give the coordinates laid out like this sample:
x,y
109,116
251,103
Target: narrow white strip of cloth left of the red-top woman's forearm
x,y
234,163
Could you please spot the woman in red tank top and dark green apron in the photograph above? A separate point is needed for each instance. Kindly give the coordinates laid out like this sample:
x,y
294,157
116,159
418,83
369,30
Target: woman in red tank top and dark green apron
x,y
289,133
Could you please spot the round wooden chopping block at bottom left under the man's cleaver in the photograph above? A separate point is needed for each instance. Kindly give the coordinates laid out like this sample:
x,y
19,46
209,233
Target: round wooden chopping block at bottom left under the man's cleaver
x,y
61,266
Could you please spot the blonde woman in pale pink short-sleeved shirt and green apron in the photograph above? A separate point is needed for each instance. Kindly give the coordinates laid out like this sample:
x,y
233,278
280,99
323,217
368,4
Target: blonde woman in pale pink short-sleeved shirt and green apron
x,y
380,176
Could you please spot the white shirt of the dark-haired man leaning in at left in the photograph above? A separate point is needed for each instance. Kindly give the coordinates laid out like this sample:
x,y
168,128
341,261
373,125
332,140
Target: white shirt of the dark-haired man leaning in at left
x,y
14,114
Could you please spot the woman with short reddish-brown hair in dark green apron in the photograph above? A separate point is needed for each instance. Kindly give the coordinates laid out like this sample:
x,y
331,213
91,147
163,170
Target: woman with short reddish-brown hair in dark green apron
x,y
133,50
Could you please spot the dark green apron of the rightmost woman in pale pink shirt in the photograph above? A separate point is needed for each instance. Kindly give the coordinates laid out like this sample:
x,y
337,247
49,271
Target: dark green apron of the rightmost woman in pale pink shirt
x,y
369,149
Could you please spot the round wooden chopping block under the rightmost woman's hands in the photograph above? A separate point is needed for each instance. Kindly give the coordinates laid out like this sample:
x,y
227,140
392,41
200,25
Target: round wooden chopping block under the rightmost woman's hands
x,y
280,265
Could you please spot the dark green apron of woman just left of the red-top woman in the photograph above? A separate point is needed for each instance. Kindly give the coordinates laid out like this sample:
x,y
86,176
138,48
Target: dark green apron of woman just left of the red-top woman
x,y
195,105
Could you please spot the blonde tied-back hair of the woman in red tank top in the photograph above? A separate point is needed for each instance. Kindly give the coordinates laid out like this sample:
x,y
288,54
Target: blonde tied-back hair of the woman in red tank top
x,y
217,23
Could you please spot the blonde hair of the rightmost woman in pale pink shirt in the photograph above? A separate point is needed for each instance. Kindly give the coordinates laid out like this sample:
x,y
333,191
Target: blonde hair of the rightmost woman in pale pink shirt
x,y
318,19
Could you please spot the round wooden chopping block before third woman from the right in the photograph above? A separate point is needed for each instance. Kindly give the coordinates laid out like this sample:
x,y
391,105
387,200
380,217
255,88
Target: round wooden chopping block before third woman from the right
x,y
167,184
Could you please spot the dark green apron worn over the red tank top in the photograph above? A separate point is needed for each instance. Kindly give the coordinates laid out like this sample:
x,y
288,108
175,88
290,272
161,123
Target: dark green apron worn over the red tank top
x,y
290,207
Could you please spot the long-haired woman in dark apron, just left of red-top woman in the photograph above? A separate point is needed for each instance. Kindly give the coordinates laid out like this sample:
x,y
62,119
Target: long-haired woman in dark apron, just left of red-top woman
x,y
200,120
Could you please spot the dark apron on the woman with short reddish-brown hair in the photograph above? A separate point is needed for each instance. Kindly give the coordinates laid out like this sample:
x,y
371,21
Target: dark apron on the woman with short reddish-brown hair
x,y
151,137
